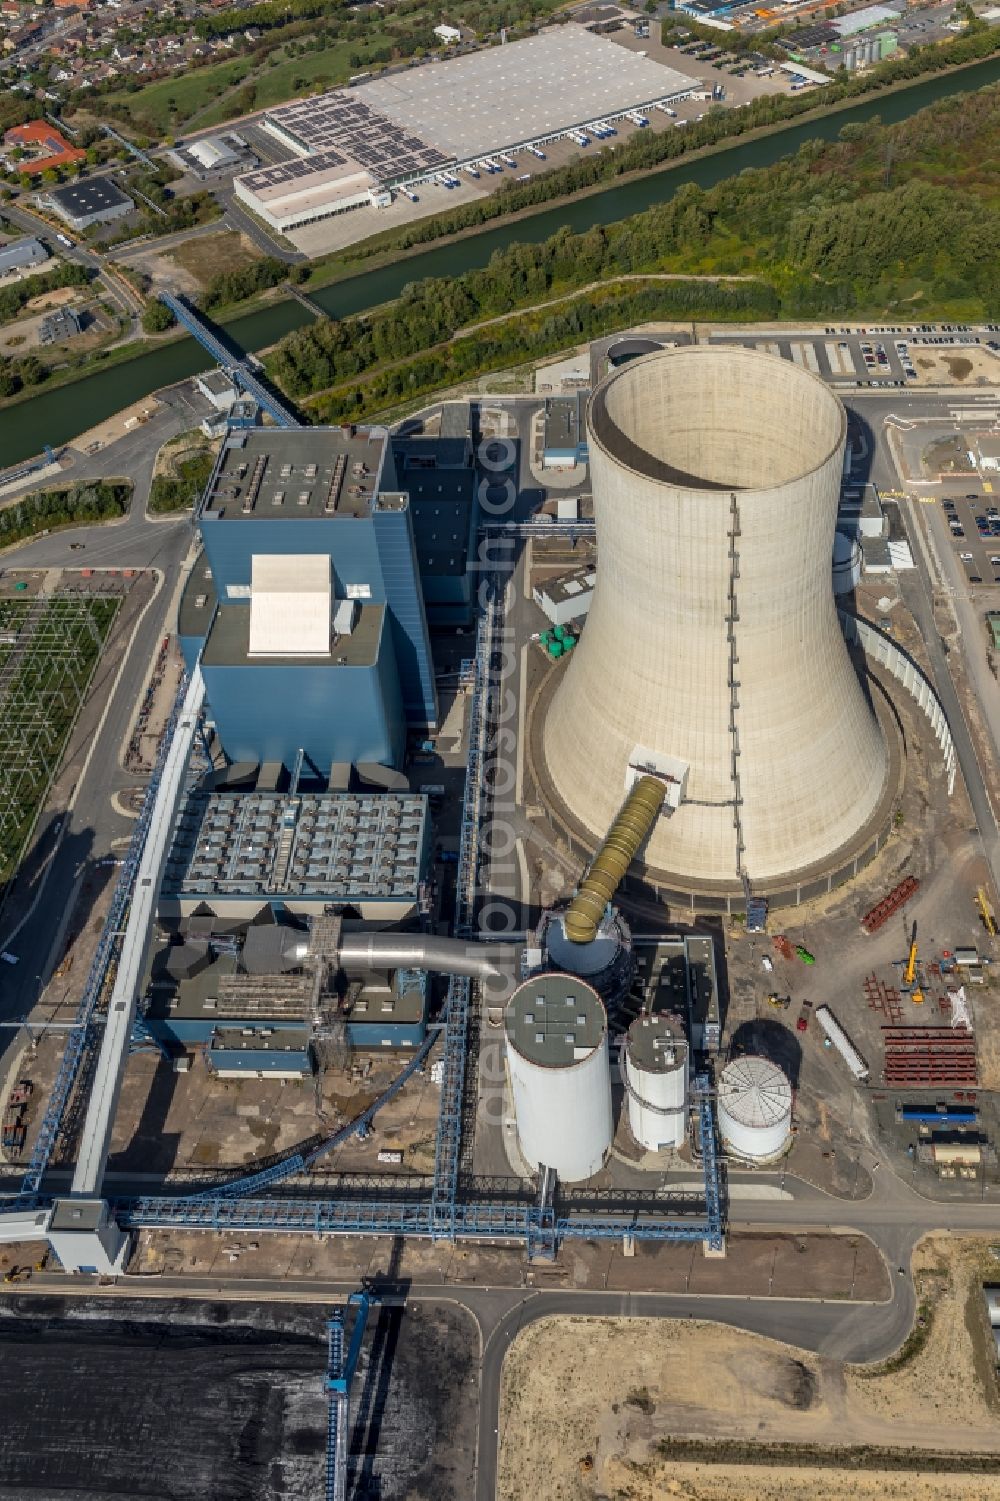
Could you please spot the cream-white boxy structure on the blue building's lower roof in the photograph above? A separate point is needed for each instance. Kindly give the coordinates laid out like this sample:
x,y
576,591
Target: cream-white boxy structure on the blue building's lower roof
x,y
291,606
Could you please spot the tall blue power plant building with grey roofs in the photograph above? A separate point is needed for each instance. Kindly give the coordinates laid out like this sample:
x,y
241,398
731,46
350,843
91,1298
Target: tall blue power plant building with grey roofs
x,y
325,550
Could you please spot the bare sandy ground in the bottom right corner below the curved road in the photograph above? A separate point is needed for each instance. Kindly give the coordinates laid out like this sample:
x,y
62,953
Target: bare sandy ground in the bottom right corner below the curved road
x,y
627,1388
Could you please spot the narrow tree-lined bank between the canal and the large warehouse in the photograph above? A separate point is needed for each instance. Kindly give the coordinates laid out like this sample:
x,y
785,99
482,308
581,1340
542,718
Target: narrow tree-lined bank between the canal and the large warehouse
x,y
651,149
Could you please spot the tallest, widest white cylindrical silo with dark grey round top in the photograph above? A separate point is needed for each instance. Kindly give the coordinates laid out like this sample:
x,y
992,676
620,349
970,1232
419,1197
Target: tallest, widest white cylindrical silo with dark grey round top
x,y
558,1063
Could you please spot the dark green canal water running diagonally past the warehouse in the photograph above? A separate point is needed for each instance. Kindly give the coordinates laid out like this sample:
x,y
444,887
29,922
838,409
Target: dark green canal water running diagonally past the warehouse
x,y
61,415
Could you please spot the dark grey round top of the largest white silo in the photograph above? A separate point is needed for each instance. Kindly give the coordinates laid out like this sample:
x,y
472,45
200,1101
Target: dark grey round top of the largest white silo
x,y
556,1021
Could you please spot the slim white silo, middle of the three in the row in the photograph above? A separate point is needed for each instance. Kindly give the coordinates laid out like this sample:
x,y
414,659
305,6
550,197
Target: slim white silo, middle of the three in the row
x,y
655,1078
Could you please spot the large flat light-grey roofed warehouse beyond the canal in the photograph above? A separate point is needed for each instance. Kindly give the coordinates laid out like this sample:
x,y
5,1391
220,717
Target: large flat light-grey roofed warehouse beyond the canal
x,y
352,148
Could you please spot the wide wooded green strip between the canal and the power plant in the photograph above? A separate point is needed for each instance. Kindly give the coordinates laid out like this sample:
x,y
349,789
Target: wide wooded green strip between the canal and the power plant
x,y
887,220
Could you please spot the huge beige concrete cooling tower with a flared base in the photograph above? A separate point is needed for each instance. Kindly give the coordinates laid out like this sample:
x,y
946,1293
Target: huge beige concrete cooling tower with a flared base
x,y
712,654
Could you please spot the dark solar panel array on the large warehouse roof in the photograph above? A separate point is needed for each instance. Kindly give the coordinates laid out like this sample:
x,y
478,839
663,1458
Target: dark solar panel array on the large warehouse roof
x,y
343,122
